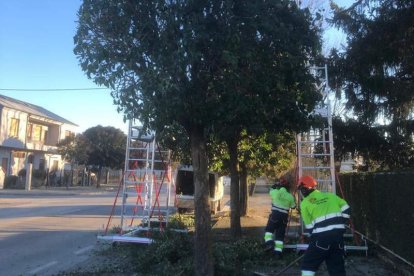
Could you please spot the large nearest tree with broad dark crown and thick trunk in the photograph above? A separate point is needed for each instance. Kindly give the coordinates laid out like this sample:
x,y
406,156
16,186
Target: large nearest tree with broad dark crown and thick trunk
x,y
205,66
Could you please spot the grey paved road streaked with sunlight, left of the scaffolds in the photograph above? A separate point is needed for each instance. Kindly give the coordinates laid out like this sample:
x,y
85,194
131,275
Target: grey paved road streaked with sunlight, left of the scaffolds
x,y
44,232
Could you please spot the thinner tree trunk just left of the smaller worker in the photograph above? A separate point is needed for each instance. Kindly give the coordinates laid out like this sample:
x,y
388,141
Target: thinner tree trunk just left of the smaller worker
x,y
235,225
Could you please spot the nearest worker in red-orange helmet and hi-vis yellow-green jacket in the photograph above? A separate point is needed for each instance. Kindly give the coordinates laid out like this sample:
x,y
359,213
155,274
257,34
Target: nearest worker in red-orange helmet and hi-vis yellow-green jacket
x,y
324,215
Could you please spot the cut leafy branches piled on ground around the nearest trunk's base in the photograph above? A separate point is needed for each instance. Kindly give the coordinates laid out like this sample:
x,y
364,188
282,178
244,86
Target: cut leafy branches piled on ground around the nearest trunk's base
x,y
172,253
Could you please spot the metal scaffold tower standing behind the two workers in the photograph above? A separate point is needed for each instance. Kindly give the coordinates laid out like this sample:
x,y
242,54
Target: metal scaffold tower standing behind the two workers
x,y
315,157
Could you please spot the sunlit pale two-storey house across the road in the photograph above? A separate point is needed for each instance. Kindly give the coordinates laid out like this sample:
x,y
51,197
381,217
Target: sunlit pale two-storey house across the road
x,y
29,133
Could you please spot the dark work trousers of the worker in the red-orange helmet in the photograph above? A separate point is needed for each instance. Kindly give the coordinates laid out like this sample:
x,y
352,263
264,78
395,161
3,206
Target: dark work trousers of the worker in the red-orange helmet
x,y
325,246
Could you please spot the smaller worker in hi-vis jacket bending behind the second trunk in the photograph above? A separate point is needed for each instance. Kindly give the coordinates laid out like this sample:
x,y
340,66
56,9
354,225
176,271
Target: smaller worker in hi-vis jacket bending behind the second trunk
x,y
282,201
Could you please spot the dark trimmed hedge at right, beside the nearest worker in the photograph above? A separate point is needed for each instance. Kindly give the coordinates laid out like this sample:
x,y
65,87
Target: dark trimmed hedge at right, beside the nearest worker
x,y
382,206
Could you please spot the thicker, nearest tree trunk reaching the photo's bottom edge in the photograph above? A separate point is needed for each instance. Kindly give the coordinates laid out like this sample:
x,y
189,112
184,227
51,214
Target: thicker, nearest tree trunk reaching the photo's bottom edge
x,y
202,251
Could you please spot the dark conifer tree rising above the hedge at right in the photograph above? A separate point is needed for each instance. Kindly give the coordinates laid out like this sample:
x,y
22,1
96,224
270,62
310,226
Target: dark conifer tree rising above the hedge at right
x,y
374,73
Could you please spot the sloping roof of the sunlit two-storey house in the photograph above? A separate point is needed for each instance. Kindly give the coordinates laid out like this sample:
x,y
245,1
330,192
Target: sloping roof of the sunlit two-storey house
x,y
32,109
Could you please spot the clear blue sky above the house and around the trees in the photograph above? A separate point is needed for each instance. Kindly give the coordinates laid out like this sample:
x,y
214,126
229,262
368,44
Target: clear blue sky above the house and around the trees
x,y
36,52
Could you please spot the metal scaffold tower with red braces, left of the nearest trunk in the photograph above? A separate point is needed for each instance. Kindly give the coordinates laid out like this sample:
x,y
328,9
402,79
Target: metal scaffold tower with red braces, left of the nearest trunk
x,y
145,191
